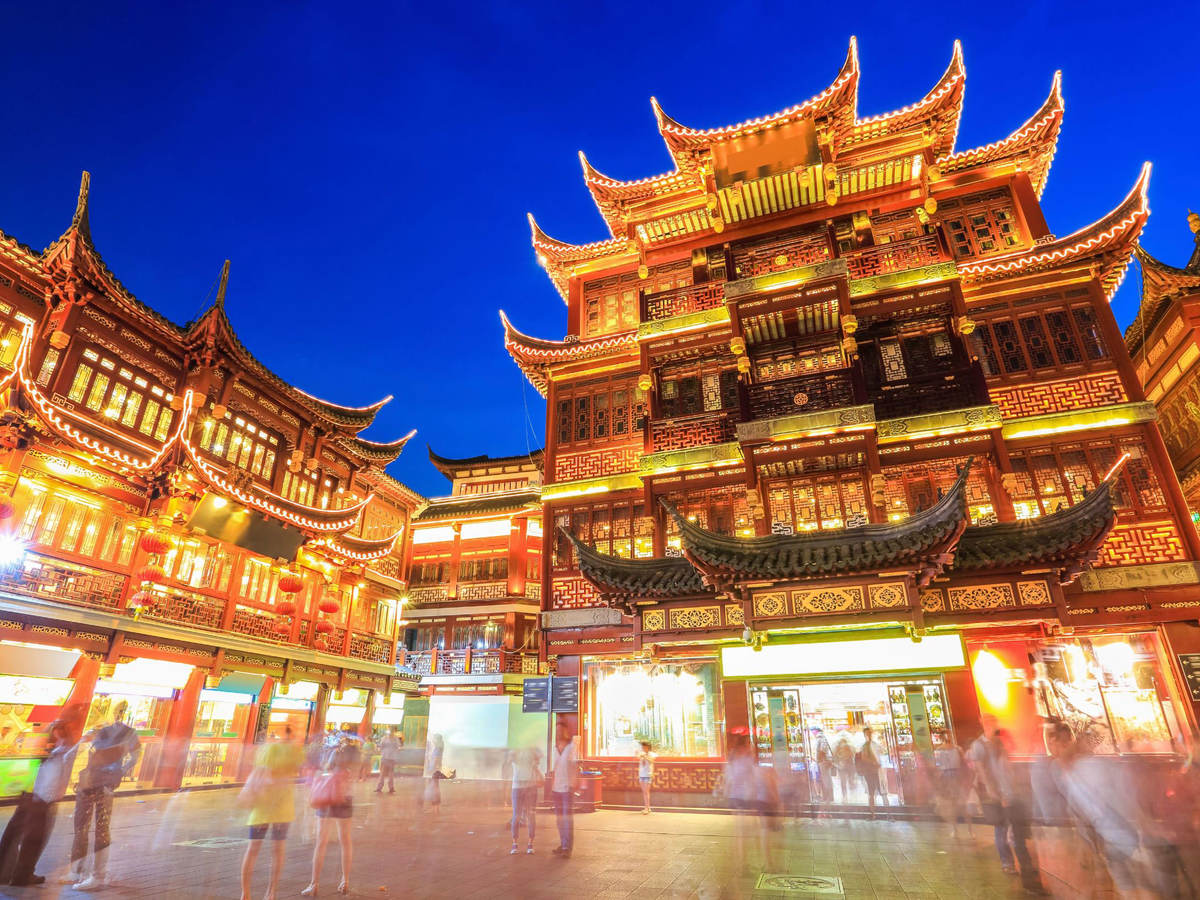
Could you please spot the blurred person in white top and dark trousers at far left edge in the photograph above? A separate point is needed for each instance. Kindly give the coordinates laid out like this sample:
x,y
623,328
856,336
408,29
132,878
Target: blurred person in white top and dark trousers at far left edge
x,y
31,826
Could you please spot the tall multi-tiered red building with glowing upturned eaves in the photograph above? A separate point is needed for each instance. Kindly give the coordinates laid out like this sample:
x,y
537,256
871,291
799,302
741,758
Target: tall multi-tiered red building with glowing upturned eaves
x,y
843,436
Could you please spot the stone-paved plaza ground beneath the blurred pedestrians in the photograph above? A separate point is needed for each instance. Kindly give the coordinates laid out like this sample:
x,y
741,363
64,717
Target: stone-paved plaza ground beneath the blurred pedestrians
x,y
190,845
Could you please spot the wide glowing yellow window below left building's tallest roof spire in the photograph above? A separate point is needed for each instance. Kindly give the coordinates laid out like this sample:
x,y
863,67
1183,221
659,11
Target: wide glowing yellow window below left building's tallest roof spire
x,y
121,395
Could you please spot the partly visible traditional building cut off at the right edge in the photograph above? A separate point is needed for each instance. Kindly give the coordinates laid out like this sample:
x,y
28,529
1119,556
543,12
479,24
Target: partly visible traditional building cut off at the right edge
x,y
1165,345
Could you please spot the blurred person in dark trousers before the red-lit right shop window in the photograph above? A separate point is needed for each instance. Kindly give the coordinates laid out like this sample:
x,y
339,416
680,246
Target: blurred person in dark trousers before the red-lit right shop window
x,y
1005,805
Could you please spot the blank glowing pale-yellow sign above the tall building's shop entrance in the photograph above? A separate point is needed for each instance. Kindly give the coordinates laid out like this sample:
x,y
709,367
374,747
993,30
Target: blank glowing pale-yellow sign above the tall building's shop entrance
x,y
877,655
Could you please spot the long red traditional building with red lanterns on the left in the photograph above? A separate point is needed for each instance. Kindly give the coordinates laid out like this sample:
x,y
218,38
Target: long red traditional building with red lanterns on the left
x,y
184,532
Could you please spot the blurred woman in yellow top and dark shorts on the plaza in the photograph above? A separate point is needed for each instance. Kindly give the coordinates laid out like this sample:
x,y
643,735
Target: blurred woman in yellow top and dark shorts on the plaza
x,y
269,794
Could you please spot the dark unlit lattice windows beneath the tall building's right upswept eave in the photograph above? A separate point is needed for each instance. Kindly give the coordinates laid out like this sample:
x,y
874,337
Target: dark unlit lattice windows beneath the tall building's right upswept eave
x,y
1059,337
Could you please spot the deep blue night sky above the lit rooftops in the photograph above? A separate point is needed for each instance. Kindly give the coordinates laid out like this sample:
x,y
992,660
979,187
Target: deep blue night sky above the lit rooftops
x,y
368,167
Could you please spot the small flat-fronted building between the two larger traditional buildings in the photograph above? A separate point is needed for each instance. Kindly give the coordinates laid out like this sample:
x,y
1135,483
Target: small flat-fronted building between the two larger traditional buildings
x,y
473,627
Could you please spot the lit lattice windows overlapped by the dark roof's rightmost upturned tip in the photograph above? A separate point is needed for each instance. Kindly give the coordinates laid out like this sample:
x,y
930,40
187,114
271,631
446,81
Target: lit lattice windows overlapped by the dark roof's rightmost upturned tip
x,y
1059,476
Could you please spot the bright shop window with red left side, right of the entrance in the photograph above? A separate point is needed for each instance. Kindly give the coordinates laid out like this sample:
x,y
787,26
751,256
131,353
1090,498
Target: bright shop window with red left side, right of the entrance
x,y
1109,688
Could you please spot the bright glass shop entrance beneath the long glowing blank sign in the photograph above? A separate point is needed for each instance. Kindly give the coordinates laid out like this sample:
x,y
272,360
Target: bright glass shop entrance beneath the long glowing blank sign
x,y
819,731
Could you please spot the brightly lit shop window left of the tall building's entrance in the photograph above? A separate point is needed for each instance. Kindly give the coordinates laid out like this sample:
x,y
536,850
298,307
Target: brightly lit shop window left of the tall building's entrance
x,y
674,705
